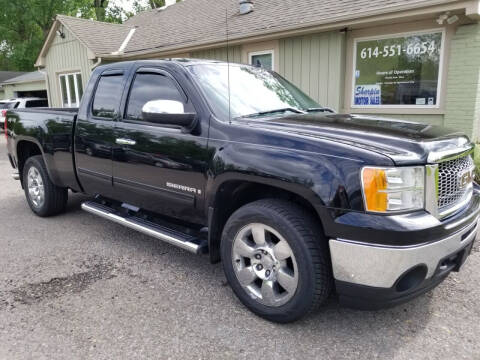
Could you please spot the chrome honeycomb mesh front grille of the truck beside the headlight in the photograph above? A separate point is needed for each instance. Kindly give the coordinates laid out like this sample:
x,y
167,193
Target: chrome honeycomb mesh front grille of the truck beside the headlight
x,y
450,190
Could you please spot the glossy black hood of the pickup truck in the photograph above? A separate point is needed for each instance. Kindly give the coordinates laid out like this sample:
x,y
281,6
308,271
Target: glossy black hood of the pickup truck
x,y
404,142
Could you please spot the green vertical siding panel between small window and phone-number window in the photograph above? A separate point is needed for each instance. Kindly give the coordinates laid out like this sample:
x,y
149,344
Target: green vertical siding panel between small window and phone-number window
x,y
316,63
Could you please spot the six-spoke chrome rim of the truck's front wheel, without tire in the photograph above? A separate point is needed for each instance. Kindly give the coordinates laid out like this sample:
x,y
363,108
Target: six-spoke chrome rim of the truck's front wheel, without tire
x,y
265,265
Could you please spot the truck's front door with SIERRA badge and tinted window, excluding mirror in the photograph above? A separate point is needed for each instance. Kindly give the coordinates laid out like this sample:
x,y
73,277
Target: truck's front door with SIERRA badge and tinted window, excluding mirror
x,y
158,167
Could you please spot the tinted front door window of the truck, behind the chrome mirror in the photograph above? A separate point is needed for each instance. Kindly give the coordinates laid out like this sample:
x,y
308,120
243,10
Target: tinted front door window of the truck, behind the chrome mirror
x,y
147,87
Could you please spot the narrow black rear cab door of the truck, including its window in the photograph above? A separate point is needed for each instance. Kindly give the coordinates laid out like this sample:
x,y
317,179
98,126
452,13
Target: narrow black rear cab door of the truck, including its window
x,y
94,133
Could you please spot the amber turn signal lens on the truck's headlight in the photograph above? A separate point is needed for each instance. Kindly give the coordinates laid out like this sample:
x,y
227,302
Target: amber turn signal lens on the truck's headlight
x,y
374,187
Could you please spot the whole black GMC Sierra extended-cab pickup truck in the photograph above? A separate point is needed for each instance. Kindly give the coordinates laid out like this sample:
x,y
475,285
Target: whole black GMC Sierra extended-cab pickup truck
x,y
233,160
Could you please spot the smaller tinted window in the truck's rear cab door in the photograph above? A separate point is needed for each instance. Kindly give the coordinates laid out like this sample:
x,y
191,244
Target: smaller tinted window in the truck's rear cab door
x,y
106,102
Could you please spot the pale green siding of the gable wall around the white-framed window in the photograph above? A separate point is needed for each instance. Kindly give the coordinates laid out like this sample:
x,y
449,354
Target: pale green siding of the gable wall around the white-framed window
x,y
64,56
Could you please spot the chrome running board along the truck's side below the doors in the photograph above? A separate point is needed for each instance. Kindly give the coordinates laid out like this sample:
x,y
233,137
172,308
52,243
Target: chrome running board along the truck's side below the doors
x,y
173,237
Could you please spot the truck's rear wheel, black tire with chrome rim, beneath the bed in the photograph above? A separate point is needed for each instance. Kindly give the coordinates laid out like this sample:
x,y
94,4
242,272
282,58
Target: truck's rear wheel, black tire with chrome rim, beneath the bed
x,y
44,198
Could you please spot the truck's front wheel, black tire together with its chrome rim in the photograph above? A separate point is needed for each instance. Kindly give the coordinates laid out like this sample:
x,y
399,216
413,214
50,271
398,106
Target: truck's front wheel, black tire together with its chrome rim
x,y
276,260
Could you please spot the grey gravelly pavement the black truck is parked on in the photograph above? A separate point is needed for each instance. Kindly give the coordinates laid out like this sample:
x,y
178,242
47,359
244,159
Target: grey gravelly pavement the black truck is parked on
x,y
76,286
